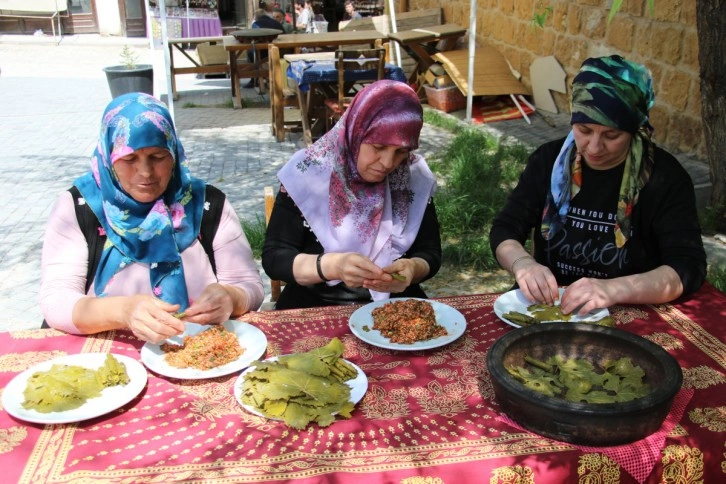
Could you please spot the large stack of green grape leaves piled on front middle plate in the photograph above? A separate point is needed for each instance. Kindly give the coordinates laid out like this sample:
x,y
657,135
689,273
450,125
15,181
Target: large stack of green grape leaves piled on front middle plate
x,y
303,387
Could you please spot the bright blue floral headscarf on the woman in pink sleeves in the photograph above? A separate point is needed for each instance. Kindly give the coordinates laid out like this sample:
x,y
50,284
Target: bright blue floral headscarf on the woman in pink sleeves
x,y
153,233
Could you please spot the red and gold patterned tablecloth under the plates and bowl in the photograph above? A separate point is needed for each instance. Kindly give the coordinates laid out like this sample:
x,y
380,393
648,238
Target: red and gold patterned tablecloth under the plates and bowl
x,y
428,417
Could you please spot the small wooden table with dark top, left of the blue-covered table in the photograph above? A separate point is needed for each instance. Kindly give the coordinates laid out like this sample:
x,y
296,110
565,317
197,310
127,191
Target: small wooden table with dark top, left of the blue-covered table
x,y
256,40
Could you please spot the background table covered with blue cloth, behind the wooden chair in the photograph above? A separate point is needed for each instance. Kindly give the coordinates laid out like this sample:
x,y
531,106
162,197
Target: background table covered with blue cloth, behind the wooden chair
x,y
316,75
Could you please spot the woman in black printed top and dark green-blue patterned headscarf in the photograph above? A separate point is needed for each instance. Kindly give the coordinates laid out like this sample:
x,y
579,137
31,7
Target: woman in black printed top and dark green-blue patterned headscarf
x,y
614,216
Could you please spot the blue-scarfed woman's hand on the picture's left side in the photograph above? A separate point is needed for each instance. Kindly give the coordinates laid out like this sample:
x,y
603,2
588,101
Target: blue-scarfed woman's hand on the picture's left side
x,y
151,319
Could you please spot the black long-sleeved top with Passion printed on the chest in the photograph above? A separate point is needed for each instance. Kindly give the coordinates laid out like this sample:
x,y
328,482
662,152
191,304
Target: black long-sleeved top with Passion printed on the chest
x,y
665,229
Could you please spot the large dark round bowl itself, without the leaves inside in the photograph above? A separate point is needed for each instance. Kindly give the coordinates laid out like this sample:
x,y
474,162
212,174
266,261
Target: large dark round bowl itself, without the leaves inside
x,y
583,423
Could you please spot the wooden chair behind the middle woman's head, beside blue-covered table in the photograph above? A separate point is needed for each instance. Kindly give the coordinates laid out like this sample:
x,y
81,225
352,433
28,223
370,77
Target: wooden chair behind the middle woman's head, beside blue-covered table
x,y
353,60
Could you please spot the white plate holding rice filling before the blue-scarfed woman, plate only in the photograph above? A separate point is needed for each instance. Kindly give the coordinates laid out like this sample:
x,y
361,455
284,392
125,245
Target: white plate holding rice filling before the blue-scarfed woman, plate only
x,y
250,338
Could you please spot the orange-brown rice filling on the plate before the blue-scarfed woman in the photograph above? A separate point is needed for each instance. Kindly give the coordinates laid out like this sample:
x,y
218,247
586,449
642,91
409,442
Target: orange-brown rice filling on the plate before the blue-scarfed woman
x,y
204,351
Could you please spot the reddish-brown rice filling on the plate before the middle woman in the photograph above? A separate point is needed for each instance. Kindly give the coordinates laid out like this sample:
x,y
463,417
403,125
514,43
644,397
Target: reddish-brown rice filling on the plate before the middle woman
x,y
407,321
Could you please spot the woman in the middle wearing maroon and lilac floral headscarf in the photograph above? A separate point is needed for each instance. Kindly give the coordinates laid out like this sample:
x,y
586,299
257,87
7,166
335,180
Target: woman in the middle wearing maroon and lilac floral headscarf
x,y
356,207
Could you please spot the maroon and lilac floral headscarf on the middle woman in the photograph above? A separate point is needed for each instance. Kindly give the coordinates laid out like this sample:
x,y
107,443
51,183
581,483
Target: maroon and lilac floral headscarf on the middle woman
x,y
346,213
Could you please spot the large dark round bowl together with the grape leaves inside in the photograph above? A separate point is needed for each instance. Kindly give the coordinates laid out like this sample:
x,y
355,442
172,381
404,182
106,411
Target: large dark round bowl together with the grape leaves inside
x,y
582,383
